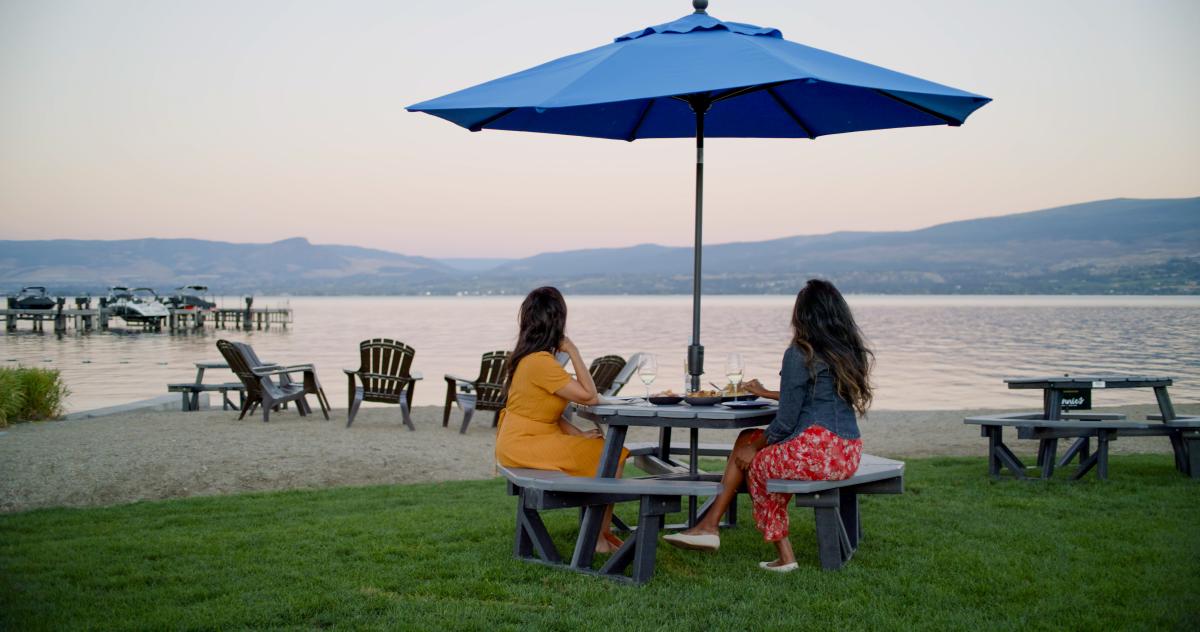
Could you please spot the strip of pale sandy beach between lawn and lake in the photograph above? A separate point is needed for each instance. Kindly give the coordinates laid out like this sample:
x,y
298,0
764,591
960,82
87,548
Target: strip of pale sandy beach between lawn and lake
x,y
157,455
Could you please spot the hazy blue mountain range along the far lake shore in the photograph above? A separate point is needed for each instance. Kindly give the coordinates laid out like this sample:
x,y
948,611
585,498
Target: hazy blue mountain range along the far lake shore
x,y
1124,246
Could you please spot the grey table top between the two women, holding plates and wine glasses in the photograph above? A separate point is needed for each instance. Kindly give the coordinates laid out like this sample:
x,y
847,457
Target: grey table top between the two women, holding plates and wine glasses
x,y
679,417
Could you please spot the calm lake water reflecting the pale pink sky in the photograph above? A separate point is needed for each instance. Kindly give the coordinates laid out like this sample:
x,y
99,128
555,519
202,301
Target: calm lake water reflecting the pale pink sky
x,y
933,352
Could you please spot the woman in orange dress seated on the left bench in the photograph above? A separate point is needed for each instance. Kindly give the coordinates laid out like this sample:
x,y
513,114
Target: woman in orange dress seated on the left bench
x,y
533,432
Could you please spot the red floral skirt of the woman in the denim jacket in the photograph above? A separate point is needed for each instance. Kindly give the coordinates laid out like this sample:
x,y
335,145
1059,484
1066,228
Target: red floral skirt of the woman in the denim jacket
x,y
815,455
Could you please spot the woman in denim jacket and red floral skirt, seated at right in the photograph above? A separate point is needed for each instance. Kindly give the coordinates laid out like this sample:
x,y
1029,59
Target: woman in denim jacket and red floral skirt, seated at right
x,y
824,386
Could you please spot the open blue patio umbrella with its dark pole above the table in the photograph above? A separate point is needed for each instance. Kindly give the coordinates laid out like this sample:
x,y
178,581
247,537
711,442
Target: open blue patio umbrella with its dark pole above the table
x,y
703,77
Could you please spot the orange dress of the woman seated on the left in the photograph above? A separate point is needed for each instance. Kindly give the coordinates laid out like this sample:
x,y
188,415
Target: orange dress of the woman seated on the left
x,y
530,436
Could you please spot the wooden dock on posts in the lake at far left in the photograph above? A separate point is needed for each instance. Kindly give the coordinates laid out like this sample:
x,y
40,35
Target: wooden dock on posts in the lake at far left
x,y
86,318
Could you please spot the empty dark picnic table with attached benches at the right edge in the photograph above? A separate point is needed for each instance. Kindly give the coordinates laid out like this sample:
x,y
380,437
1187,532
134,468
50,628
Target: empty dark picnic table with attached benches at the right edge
x,y
1054,424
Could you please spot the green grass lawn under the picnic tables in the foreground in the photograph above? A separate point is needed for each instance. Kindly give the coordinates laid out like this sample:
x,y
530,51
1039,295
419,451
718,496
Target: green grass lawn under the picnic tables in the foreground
x,y
956,551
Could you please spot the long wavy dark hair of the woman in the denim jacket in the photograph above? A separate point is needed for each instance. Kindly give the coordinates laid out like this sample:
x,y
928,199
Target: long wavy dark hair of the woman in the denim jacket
x,y
824,328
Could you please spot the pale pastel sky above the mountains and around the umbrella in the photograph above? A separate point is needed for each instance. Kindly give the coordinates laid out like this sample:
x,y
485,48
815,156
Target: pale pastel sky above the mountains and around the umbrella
x,y
255,122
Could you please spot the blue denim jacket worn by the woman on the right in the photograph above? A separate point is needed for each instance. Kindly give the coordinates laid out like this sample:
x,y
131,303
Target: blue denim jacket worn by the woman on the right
x,y
809,399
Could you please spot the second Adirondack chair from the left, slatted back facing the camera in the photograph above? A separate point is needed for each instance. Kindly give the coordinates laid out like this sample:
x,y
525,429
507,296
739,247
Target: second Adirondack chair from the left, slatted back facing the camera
x,y
386,377
